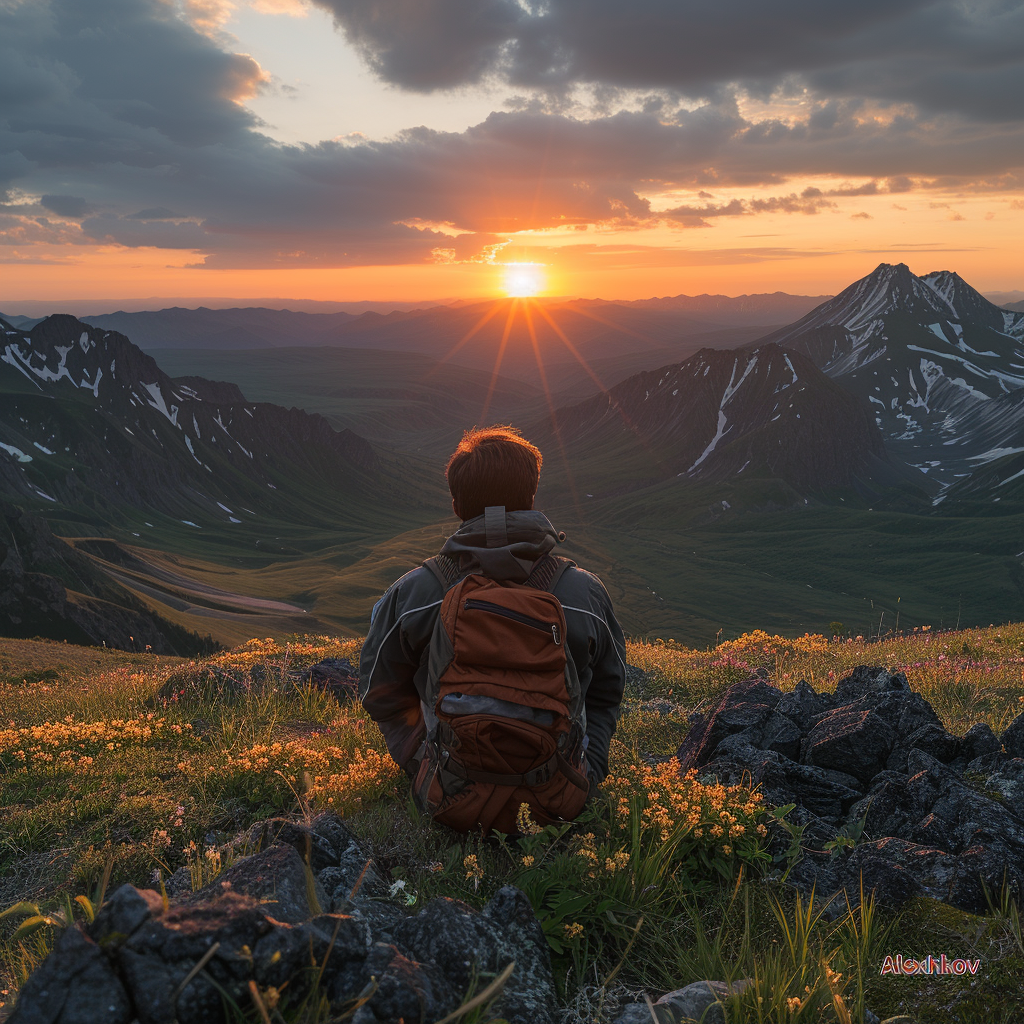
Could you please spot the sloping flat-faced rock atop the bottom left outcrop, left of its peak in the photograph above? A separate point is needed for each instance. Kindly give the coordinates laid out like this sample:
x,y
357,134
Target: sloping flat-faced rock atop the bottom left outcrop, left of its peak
x,y
277,878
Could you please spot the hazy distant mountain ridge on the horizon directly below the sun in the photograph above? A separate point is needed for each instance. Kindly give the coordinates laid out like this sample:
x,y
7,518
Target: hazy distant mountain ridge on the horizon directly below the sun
x,y
471,334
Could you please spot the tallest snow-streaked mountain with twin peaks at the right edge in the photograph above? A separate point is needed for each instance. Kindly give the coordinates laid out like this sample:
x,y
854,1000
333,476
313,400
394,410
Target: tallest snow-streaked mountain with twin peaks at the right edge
x,y
940,363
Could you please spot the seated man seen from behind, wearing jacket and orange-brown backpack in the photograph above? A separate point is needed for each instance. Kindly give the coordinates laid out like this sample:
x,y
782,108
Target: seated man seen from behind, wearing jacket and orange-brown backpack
x,y
505,547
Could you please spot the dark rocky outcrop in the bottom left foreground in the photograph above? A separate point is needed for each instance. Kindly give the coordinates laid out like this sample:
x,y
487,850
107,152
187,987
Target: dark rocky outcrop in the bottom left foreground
x,y
282,923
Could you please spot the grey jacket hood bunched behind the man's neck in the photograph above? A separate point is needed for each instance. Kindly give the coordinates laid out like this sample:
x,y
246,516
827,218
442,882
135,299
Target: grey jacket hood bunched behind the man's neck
x,y
502,545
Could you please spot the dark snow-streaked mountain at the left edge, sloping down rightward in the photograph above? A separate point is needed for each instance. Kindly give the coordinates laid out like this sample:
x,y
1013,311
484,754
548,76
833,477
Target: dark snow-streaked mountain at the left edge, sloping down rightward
x,y
89,420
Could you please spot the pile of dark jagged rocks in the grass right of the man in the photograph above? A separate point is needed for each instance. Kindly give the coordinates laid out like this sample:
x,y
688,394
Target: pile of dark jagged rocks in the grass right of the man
x,y
872,765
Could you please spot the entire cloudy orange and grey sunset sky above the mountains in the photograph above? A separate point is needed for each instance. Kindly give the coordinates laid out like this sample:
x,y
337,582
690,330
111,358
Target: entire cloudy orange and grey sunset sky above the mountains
x,y
410,150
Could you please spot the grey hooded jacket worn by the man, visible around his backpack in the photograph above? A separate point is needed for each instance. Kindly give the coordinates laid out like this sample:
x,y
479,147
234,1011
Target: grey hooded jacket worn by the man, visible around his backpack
x,y
394,664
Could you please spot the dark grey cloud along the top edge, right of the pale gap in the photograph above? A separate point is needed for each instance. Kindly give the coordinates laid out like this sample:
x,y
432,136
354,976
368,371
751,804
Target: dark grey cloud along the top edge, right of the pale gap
x,y
943,56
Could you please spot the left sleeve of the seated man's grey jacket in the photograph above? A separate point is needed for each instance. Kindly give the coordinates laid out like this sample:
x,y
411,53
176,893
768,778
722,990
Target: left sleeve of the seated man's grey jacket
x,y
400,633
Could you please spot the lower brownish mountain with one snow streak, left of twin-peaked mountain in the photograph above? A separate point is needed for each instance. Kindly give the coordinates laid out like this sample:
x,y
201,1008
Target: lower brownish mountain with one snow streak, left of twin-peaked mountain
x,y
722,415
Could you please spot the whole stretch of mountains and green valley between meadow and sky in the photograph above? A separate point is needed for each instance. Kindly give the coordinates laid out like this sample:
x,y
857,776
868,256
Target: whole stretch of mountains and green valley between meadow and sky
x,y
904,395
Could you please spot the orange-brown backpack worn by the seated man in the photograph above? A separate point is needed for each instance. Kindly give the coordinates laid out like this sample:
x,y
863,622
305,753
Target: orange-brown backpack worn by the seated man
x,y
510,718
